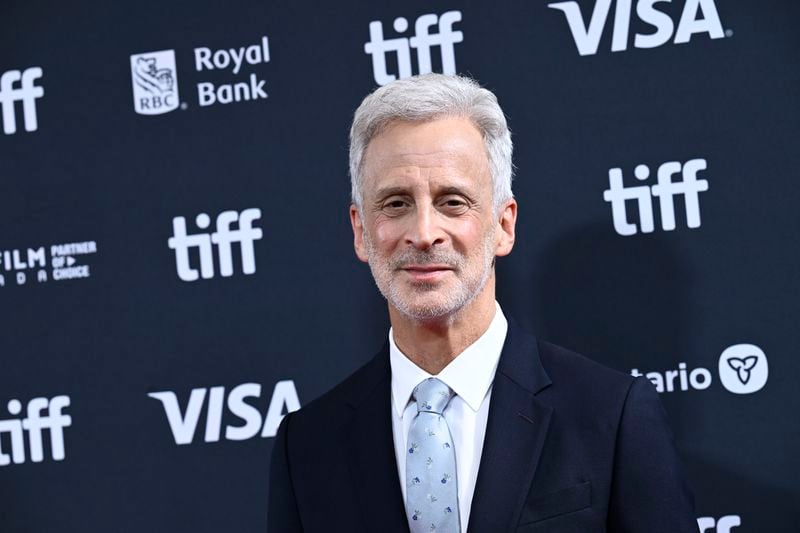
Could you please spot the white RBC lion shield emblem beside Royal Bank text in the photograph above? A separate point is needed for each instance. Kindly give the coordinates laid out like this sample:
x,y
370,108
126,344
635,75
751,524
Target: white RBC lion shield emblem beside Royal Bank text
x,y
155,82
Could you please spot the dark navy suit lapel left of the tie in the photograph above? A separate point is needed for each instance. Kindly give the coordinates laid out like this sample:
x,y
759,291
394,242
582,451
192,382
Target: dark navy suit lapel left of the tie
x,y
373,466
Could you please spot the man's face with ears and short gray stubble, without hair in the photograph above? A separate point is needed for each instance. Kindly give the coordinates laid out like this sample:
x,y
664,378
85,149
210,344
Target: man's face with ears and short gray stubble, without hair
x,y
427,227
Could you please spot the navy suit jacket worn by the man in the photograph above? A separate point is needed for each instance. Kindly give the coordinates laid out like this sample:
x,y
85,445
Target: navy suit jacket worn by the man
x,y
570,446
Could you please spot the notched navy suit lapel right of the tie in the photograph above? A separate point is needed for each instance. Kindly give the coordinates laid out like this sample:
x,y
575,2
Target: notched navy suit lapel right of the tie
x,y
515,434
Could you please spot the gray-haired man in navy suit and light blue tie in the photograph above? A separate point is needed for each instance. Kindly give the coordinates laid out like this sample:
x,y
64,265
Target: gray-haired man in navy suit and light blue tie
x,y
464,422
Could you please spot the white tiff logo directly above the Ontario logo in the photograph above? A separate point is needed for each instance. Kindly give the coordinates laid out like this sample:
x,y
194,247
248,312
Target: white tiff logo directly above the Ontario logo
x,y
666,189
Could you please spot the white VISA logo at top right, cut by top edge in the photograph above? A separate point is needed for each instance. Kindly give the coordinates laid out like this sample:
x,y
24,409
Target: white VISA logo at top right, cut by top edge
x,y
587,34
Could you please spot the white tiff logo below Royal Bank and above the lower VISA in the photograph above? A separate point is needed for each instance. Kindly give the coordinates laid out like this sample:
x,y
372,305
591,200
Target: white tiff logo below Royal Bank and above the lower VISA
x,y
223,237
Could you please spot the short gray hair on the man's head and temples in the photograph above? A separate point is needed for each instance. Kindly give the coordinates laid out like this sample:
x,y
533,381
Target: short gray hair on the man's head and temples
x,y
429,97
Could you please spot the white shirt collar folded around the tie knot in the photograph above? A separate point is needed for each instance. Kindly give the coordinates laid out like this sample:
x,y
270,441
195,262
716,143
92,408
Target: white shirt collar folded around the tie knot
x,y
470,374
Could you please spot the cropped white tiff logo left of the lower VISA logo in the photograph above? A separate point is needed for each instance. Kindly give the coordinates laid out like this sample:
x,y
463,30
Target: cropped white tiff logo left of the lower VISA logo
x,y
34,423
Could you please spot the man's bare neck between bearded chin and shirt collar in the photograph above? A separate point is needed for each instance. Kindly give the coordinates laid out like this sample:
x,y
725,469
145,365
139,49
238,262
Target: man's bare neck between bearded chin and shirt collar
x,y
433,344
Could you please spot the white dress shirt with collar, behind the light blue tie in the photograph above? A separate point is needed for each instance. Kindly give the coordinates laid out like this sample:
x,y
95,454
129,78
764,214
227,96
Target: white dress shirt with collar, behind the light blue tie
x,y
470,375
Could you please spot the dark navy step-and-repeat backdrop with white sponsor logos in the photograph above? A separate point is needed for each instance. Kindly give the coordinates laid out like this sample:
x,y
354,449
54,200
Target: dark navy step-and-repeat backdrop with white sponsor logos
x,y
176,263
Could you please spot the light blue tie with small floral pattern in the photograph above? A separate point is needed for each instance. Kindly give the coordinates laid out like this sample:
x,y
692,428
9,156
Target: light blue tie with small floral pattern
x,y
431,488
